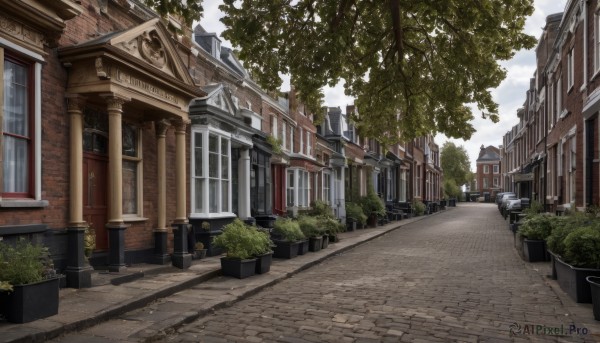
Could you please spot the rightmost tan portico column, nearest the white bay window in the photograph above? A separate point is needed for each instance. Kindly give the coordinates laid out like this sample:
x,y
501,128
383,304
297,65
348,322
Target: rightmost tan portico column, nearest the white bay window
x,y
181,258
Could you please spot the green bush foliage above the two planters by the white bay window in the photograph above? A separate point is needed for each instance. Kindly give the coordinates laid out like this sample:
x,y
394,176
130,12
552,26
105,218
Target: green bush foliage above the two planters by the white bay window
x,y
242,241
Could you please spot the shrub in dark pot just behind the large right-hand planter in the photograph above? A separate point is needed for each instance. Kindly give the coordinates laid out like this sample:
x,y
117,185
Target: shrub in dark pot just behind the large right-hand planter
x,y
534,230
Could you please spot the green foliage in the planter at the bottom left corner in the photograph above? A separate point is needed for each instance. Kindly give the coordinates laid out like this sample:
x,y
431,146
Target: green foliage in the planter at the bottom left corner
x,y
23,263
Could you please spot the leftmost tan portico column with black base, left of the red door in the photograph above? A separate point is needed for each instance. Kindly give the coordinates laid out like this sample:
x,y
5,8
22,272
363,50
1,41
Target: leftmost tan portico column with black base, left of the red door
x,y
77,272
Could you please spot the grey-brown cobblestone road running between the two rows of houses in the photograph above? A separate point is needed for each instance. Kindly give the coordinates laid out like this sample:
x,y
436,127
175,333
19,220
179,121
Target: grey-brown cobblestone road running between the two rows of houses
x,y
454,276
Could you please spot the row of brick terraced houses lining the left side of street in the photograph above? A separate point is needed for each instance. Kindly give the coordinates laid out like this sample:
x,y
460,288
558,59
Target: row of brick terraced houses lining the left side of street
x,y
155,140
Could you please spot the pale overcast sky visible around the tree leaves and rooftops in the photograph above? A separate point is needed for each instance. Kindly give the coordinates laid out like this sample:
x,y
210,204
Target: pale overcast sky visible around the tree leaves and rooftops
x,y
510,95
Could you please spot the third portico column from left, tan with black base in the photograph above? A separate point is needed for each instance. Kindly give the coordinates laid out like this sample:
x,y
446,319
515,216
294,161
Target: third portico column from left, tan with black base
x,y
160,232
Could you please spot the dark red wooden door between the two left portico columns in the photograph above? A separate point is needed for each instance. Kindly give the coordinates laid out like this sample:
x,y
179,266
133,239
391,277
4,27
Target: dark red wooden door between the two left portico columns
x,y
95,172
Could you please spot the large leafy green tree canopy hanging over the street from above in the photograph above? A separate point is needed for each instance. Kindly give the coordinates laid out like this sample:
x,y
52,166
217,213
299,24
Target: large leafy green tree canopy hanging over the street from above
x,y
412,65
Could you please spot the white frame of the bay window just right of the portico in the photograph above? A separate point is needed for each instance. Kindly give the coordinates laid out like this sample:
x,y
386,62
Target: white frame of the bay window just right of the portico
x,y
204,210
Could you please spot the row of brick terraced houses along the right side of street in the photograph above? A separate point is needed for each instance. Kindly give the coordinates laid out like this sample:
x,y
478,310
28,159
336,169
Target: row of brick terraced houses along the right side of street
x,y
552,155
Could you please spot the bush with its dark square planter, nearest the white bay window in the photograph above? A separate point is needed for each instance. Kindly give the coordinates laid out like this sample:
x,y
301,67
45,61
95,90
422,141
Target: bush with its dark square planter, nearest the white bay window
x,y
239,242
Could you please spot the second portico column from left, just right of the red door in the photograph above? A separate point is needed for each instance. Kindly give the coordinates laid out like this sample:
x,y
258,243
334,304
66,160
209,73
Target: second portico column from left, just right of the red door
x,y
116,227
